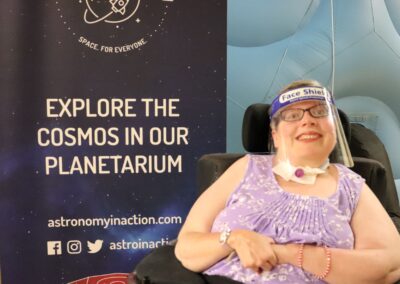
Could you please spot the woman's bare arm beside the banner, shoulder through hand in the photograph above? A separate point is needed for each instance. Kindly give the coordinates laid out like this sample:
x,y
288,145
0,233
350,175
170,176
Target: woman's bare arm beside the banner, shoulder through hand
x,y
197,248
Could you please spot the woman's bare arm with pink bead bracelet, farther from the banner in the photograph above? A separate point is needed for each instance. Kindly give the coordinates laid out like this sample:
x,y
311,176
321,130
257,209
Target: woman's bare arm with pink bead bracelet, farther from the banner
x,y
375,259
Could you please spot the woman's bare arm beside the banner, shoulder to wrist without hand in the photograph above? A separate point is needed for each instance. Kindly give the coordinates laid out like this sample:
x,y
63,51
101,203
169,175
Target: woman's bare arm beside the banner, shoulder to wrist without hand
x,y
197,248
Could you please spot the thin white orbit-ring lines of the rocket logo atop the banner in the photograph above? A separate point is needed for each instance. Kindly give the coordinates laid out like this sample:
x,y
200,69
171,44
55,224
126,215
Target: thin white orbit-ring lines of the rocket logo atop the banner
x,y
117,7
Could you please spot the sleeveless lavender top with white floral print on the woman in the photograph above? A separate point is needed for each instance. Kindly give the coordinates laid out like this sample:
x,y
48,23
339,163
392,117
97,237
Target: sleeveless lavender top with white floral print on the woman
x,y
261,205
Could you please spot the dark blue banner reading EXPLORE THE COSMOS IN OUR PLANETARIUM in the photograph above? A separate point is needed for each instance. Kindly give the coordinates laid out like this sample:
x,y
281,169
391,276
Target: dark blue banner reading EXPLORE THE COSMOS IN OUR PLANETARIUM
x,y
106,106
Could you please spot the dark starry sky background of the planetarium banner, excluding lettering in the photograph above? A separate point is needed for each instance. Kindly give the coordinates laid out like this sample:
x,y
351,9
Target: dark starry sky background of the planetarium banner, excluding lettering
x,y
41,57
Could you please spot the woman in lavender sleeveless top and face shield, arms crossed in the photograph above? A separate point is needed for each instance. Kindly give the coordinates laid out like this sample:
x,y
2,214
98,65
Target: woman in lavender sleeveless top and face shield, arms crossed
x,y
293,217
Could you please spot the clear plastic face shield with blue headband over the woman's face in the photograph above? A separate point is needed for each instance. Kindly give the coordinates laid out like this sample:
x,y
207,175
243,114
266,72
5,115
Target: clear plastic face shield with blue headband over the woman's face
x,y
306,130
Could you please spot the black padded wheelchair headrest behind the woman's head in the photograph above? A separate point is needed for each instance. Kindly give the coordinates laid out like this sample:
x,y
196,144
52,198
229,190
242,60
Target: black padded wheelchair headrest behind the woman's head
x,y
256,128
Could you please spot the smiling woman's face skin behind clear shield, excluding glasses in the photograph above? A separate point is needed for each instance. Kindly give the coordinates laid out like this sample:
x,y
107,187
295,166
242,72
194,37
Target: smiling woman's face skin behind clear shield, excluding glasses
x,y
306,142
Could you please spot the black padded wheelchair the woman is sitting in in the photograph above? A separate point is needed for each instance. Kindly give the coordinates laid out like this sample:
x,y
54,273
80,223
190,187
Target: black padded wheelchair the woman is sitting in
x,y
371,162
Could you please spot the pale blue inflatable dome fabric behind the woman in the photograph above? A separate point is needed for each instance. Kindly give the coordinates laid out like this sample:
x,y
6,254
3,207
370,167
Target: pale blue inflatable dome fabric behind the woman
x,y
273,42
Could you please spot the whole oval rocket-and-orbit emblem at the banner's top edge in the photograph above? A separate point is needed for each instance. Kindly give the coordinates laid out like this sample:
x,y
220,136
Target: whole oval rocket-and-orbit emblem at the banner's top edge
x,y
110,11
